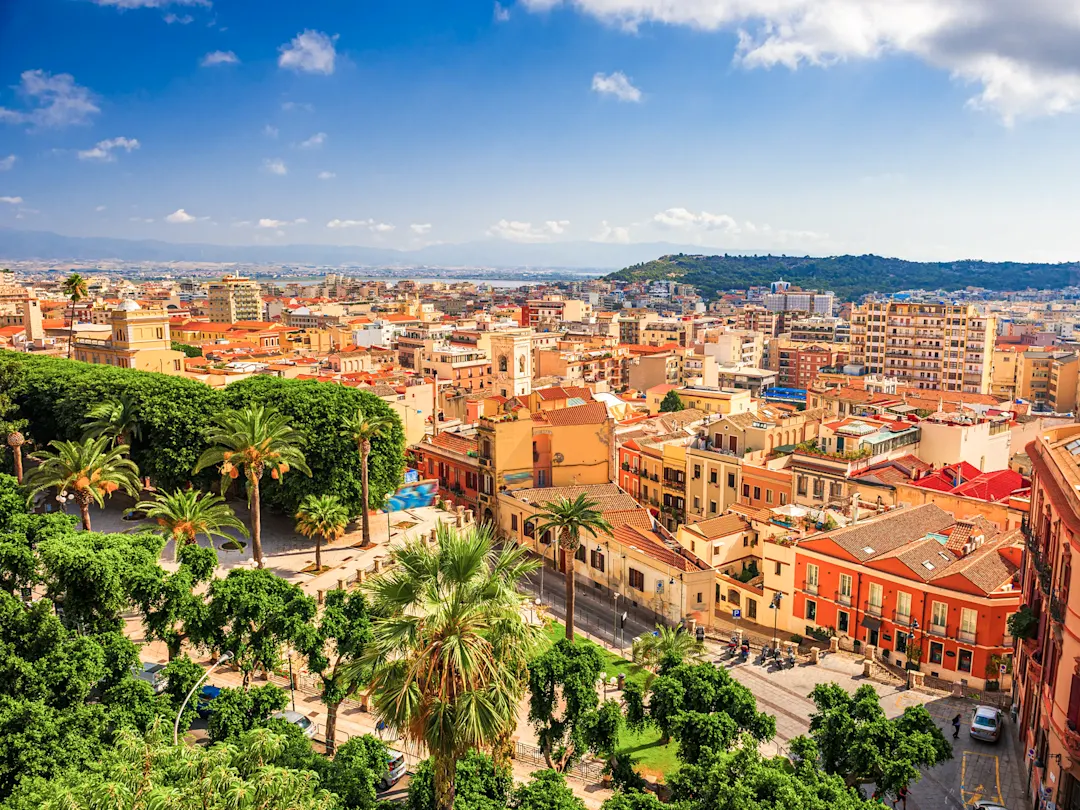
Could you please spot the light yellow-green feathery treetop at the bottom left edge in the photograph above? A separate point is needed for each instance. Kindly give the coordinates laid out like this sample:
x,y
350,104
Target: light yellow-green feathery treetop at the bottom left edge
x,y
150,773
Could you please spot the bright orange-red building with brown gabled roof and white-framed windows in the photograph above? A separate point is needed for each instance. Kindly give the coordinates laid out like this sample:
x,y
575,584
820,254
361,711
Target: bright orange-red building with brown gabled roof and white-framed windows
x,y
915,572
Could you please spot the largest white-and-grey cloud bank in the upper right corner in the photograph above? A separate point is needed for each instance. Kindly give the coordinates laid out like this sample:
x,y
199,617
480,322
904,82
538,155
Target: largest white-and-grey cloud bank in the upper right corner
x,y
1021,57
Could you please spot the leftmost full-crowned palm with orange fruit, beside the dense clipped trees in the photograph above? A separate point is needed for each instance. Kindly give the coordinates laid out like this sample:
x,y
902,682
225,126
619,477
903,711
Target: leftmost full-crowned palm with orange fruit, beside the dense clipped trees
x,y
91,470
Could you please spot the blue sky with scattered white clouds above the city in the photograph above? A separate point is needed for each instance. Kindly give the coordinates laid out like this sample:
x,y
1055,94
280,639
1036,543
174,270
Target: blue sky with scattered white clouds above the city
x,y
927,129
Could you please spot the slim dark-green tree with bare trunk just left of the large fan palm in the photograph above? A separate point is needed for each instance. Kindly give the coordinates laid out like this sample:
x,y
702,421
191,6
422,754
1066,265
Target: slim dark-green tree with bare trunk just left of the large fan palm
x,y
340,642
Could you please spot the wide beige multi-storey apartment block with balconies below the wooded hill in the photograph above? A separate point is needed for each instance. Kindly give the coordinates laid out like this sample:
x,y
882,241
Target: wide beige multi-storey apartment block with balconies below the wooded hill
x,y
938,347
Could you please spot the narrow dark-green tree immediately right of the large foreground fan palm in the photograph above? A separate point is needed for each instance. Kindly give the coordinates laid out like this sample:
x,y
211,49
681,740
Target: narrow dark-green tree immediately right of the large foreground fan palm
x,y
563,700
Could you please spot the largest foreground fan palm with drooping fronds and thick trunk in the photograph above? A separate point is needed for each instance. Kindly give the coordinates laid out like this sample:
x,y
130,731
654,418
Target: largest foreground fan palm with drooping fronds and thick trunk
x,y
448,631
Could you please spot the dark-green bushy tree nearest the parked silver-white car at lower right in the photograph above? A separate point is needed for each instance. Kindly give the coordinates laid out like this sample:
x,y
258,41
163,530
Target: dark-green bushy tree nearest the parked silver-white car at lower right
x,y
859,744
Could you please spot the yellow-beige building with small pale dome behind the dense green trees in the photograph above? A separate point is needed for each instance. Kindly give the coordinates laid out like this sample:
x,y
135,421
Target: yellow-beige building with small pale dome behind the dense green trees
x,y
139,339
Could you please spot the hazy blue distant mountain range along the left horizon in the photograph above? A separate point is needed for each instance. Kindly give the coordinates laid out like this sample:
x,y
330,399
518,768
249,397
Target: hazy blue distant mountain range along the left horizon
x,y
45,246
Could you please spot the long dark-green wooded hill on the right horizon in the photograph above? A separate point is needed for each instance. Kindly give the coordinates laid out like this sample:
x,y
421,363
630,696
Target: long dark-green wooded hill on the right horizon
x,y
849,277
